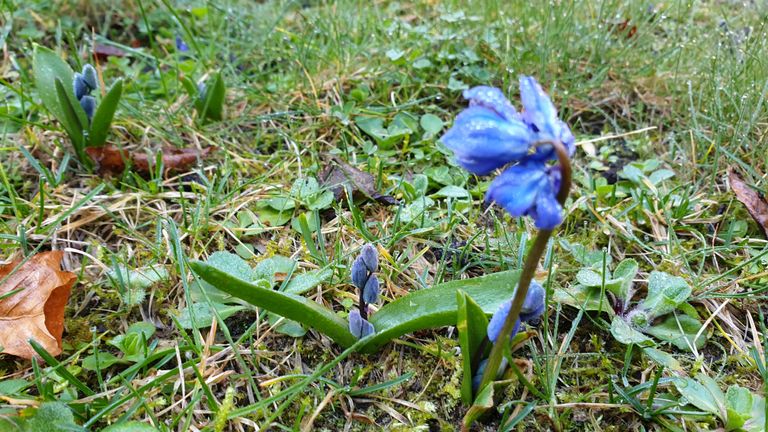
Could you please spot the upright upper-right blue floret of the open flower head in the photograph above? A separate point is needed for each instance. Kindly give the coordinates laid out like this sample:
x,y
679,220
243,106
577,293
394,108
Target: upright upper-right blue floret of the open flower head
x,y
540,114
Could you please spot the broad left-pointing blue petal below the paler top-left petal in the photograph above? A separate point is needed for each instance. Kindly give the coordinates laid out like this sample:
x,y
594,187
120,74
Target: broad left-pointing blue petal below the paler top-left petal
x,y
482,140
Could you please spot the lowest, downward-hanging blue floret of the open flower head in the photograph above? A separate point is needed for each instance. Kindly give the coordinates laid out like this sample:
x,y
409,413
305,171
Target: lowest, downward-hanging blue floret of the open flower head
x,y
529,189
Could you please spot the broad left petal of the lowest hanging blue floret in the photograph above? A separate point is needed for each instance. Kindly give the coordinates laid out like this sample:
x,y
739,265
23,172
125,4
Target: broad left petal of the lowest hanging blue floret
x,y
517,187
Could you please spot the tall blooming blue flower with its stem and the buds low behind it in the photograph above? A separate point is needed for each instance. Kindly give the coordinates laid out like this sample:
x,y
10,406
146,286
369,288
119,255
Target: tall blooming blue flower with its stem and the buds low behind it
x,y
491,134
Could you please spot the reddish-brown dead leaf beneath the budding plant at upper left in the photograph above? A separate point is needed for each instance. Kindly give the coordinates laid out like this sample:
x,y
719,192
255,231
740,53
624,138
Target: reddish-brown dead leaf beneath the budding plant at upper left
x,y
111,159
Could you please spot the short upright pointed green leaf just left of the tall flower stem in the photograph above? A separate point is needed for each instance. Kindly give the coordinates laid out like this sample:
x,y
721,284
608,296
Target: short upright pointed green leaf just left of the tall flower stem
x,y
472,324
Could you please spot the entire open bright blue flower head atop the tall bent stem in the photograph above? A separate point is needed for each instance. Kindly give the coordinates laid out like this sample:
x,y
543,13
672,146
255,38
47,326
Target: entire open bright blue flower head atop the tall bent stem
x,y
491,134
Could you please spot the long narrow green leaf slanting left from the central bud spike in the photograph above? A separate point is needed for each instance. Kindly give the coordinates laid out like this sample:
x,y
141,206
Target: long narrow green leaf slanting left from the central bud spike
x,y
287,305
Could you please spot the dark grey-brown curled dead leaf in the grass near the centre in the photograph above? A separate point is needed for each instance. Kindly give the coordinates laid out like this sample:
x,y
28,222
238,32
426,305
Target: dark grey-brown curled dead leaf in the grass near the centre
x,y
339,176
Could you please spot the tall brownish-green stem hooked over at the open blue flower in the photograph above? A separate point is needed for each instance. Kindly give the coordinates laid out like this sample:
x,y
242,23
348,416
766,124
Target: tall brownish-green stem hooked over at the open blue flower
x,y
529,270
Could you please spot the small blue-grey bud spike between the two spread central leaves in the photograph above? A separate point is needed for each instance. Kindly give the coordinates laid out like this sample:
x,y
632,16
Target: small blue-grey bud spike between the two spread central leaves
x,y
364,278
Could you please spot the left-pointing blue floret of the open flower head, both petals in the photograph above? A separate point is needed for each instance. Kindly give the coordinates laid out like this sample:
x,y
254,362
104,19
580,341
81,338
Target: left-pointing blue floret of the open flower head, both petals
x,y
489,134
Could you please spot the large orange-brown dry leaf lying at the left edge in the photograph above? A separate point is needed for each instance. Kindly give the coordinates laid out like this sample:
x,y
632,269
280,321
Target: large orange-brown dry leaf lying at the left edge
x,y
36,311
